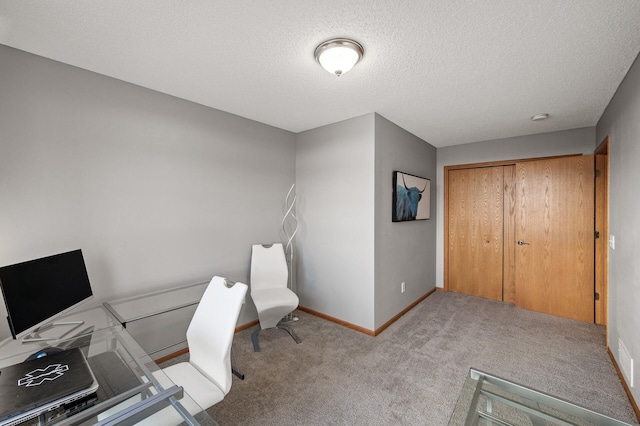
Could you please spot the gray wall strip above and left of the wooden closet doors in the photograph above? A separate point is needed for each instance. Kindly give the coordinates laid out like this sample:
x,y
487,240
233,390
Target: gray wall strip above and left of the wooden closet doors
x,y
576,141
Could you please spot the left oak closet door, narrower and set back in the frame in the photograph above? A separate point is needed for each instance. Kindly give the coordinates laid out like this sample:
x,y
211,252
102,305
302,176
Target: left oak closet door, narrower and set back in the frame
x,y
475,226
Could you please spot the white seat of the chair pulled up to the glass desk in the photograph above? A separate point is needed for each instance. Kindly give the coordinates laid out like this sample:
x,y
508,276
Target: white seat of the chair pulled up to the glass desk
x,y
203,391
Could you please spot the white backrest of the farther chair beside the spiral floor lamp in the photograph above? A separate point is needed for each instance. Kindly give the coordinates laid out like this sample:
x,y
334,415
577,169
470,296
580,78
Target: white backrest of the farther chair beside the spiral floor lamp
x,y
268,267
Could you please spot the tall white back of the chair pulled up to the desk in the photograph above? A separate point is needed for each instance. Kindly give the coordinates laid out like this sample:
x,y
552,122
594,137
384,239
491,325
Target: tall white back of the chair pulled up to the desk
x,y
210,332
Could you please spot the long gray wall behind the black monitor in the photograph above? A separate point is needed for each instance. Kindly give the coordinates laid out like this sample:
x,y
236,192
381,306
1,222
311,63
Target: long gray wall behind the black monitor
x,y
157,191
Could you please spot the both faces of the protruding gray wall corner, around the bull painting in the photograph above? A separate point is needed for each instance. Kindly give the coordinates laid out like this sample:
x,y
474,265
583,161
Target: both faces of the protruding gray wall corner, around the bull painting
x,y
352,258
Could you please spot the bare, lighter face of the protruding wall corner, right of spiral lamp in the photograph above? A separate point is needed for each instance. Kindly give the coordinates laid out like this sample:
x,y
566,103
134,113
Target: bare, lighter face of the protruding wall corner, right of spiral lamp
x,y
336,200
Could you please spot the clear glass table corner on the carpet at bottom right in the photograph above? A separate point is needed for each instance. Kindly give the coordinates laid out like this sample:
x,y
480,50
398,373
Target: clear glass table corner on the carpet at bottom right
x,y
490,400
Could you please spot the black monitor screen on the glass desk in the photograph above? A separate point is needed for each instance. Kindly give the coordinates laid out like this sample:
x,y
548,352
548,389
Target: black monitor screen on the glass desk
x,y
37,290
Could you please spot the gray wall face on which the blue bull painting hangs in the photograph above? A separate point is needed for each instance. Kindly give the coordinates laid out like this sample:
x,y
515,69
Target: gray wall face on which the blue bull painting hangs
x,y
404,251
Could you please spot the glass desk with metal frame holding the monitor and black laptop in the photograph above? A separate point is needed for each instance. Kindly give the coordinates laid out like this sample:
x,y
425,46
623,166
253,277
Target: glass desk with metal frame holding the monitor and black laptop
x,y
132,388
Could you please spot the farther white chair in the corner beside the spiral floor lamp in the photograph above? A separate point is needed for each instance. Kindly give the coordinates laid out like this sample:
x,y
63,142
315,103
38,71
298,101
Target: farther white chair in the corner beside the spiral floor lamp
x,y
269,291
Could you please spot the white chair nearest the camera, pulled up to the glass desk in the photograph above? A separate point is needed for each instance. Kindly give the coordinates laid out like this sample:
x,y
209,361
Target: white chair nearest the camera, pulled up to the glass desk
x,y
206,377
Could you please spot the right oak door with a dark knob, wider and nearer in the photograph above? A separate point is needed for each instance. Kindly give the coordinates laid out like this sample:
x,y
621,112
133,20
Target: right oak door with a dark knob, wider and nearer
x,y
554,258
